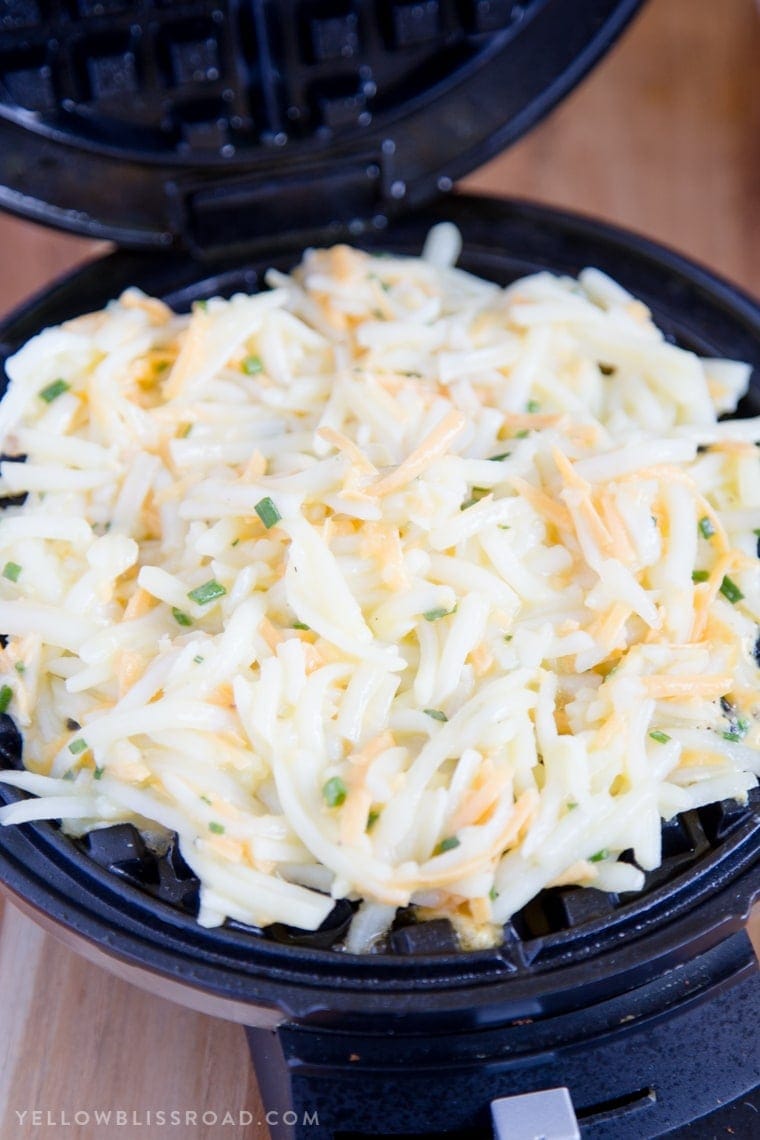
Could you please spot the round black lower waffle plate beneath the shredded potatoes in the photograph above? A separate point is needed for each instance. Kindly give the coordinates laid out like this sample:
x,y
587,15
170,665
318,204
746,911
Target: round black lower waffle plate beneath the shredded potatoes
x,y
566,943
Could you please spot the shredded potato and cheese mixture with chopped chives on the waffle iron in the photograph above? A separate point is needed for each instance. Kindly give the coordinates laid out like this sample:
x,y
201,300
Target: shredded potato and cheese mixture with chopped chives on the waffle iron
x,y
386,584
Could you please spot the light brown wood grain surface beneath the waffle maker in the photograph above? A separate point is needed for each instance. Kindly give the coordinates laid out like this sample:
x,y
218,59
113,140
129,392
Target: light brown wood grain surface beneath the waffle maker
x,y
664,139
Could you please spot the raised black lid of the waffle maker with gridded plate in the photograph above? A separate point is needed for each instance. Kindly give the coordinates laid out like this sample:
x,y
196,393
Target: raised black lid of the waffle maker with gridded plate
x,y
214,125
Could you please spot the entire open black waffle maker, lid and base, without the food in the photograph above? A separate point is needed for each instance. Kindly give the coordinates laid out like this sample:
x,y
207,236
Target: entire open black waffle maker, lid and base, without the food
x,y
210,141
